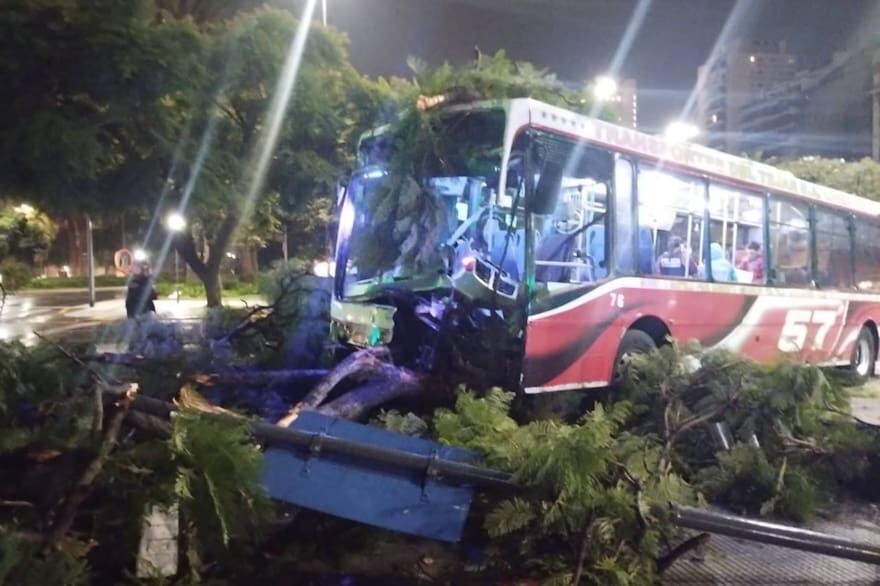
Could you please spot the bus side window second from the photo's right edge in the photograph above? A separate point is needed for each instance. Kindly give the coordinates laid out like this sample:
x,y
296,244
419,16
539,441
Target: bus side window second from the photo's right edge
x,y
833,258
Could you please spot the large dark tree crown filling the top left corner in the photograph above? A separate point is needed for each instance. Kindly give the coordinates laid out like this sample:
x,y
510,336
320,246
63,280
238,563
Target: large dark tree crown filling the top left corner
x,y
93,99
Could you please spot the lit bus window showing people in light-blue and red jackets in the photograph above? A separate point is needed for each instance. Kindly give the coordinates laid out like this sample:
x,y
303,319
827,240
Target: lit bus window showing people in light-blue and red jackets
x,y
737,220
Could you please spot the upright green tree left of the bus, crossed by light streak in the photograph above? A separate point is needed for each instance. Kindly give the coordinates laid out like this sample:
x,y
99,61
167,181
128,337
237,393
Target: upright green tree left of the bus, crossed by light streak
x,y
329,103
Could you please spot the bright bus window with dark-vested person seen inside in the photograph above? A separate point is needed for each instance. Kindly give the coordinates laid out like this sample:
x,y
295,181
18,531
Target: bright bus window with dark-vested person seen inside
x,y
671,217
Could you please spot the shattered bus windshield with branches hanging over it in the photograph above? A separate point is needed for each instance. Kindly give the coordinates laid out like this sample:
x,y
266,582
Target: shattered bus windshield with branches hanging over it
x,y
405,207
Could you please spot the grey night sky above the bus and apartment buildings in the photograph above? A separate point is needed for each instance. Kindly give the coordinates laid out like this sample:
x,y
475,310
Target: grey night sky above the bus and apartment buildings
x,y
578,38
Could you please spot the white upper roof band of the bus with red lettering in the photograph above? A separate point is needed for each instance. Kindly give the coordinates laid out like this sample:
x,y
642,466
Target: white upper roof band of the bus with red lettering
x,y
692,157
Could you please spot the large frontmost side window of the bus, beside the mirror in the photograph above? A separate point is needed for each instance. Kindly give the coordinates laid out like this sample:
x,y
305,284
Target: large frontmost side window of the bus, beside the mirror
x,y
570,242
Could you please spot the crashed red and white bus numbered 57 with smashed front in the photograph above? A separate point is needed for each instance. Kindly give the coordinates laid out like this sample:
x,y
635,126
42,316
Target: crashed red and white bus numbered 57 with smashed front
x,y
539,246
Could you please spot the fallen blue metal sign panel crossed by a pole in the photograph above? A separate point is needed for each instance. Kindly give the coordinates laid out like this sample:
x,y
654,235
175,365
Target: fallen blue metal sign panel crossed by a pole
x,y
383,496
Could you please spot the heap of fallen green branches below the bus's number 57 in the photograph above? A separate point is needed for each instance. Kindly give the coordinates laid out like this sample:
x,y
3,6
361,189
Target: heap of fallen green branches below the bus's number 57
x,y
795,444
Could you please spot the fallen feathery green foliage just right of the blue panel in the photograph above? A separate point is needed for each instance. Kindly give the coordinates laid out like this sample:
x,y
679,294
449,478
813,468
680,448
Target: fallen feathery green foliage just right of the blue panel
x,y
585,514
